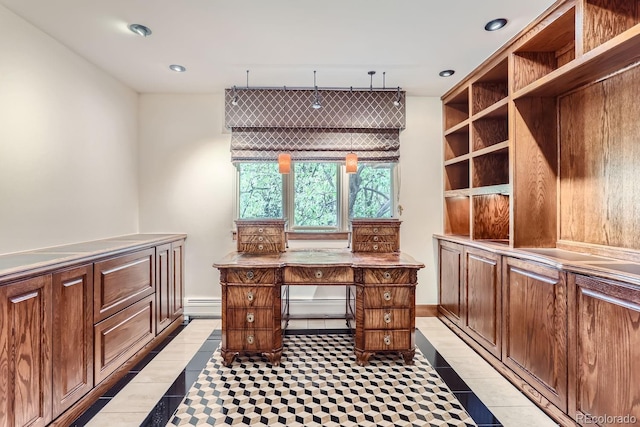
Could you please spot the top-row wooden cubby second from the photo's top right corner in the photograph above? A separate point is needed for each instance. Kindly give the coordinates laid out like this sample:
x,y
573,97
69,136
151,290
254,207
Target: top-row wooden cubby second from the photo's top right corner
x,y
548,49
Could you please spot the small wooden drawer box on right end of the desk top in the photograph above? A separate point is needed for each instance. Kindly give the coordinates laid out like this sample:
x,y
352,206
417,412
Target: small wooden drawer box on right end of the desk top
x,y
375,235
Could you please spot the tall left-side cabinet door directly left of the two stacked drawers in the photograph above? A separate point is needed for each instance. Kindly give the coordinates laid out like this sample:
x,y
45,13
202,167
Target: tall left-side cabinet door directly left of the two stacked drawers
x,y
72,336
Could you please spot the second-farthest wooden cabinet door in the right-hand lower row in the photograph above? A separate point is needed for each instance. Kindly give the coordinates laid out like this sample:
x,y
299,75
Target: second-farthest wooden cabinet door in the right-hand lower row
x,y
482,294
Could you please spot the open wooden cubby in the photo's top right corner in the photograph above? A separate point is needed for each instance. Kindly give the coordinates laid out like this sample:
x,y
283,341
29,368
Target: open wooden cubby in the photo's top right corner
x,y
605,19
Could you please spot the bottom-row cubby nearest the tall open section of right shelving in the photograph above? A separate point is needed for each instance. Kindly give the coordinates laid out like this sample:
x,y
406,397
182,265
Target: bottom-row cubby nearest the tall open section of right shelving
x,y
491,217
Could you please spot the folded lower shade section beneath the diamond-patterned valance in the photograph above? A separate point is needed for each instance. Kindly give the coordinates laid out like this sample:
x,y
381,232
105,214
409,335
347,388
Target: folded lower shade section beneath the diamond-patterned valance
x,y
264,144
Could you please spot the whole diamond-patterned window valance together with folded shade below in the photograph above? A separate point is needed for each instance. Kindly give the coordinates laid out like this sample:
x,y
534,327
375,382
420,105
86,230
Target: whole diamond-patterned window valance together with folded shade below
x,y
267,122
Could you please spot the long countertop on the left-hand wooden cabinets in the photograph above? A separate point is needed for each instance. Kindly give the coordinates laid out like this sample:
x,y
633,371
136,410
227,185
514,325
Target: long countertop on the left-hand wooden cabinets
x,y
20,264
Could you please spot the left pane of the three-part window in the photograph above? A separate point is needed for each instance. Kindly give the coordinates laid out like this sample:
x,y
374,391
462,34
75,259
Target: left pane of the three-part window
x,y
260,191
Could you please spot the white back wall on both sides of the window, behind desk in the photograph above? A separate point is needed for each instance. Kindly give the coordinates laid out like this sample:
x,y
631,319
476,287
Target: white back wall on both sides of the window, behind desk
x,y
187,185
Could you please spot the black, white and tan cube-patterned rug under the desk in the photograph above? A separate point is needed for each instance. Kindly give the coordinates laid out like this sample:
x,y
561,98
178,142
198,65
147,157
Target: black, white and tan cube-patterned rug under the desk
x,y
318,383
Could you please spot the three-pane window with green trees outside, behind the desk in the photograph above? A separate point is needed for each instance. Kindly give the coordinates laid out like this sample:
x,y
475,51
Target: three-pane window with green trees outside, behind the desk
x,y
318,196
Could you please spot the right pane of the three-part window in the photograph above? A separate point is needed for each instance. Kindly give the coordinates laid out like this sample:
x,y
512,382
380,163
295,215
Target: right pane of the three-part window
x,y
370,191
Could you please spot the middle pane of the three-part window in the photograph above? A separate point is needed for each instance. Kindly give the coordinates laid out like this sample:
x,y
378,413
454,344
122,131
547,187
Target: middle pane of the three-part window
x,y
316,195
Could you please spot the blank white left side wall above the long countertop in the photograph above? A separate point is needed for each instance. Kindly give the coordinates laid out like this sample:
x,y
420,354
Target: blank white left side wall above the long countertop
x,y
68,144
